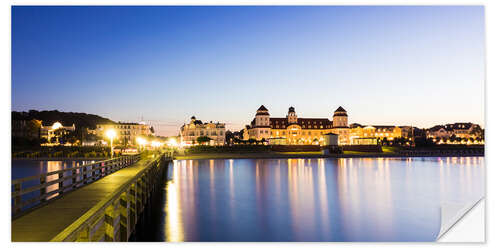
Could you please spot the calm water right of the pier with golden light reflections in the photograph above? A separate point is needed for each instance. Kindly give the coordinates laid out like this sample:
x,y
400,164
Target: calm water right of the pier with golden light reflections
x,y
310,199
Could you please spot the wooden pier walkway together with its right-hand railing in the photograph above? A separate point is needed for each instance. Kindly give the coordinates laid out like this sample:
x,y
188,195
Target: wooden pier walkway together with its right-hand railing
x,y
104,210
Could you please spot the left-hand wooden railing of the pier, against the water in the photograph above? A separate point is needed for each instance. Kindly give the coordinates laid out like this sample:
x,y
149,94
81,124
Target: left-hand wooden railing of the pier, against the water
x,y
52,184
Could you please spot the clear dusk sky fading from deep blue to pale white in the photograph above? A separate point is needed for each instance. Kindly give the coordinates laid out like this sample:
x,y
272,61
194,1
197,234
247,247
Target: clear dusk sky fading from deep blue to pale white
x,y
409,65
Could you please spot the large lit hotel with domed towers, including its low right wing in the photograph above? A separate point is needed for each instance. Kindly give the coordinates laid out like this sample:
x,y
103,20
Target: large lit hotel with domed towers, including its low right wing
x,y
293,130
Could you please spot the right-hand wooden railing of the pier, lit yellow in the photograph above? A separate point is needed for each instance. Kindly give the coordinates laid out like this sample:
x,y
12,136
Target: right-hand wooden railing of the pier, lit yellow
x,y
114,218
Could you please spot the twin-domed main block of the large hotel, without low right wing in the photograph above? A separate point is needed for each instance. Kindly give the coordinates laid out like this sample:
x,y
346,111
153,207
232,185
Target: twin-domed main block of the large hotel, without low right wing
x,y
293,130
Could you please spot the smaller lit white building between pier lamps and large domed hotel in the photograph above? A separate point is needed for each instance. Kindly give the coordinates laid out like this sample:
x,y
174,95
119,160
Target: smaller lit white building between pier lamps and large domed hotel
x,y
190,132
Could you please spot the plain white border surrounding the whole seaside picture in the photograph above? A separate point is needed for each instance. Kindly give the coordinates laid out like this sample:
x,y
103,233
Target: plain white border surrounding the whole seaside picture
x,y
492,10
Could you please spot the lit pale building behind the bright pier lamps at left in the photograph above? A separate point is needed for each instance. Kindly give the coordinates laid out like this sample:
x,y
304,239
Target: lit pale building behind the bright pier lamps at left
x,y
127,132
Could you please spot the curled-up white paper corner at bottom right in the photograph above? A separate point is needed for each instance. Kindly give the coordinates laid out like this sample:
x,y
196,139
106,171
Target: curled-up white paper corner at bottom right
x,y
451,213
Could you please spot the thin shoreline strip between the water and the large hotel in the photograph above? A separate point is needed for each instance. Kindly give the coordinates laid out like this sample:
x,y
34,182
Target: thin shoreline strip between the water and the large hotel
x,y
209,156
